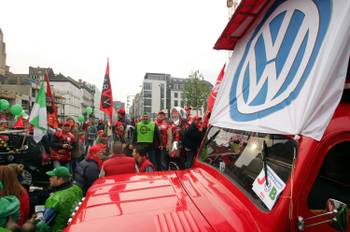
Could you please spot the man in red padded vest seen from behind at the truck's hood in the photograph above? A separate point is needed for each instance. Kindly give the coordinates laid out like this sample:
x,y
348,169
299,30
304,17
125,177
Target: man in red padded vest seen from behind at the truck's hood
x,y
119,163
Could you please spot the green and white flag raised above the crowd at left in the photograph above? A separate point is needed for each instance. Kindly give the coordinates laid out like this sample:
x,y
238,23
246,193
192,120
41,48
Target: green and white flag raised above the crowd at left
x,y
38,116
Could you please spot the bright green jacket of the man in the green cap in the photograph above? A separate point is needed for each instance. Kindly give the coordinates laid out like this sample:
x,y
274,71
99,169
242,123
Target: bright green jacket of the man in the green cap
x,y
63,202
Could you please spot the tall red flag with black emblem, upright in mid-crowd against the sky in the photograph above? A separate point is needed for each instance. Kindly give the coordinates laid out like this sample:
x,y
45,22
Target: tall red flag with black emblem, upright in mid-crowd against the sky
x,y
106,104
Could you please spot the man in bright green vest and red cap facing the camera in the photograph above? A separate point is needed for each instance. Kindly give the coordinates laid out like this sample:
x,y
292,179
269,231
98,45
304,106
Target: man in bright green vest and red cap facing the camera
x,y
147,134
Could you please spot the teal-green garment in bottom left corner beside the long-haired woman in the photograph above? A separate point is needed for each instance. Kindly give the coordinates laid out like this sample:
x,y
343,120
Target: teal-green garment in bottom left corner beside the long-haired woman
x,y
9,207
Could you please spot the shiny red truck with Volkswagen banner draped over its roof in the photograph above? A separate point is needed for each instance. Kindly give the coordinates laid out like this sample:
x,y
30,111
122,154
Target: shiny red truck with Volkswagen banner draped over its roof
x,y
240,180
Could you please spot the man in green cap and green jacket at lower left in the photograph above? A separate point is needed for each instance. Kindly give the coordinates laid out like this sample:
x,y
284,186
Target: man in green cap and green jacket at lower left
x,y
63,199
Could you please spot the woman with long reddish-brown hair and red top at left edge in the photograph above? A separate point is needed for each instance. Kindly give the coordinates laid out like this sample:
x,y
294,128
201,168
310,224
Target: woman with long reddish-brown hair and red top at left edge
x,y
11,186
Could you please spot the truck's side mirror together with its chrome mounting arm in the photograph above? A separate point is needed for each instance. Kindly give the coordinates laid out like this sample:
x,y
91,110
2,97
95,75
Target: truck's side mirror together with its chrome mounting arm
x,y
336,216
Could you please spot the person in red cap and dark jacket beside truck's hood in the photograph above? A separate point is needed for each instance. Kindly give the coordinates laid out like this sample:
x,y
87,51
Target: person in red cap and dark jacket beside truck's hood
x,y
88,169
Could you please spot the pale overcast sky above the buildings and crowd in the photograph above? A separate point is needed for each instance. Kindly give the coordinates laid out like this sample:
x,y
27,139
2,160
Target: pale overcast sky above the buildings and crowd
x,y
75,37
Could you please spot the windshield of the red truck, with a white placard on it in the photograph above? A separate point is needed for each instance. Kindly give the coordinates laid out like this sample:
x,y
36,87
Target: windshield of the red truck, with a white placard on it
x,y
242,156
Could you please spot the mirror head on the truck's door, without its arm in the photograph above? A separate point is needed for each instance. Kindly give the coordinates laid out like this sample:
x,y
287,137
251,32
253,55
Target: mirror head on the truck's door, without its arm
x,y
340,219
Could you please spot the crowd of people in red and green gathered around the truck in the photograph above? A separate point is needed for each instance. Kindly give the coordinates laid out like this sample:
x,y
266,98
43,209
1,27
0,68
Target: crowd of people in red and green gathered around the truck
x,y
82,153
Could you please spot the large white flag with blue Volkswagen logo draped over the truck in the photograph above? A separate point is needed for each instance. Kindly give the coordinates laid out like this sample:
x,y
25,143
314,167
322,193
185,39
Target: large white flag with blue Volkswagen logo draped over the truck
x,y
287,73
